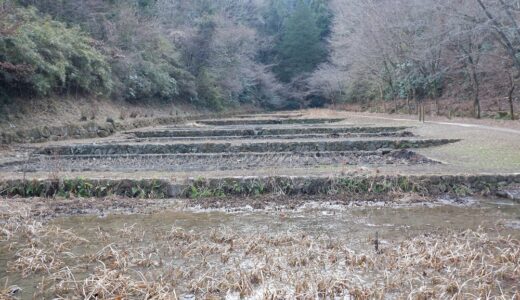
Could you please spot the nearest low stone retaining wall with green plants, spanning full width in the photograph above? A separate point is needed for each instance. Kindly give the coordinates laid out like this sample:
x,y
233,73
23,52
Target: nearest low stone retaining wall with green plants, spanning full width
x,y
356,186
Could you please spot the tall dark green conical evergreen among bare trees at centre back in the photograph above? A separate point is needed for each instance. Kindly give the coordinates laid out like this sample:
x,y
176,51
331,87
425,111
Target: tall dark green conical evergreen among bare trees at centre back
x,y
300,49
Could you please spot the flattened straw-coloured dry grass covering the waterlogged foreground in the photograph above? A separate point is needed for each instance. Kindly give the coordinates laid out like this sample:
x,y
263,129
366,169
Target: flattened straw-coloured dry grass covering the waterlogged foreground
x,y
134,262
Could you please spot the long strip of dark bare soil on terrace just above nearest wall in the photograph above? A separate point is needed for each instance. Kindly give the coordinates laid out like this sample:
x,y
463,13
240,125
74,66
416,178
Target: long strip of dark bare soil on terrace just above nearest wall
x,y
213,161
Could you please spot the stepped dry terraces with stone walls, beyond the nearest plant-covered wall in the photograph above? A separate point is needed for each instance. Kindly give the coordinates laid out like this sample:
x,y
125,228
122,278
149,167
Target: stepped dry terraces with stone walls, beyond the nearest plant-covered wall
x,y
236,147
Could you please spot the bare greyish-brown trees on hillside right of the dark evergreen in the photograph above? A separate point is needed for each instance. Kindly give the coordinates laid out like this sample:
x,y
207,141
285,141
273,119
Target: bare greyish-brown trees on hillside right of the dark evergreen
x,y
405,52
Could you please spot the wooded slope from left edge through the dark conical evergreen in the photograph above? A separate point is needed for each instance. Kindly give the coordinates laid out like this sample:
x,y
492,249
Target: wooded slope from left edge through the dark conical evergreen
x,y
136,51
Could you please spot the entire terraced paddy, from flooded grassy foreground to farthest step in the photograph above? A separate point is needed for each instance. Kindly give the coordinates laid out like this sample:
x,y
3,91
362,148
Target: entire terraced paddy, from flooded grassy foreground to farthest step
x,y
346,211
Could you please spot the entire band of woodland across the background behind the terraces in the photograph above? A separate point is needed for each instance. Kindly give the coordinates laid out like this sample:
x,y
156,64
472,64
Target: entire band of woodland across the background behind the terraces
x,y
270,53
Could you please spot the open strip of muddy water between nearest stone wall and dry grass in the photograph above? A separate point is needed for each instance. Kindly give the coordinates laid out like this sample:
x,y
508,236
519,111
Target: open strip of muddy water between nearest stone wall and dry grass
x,y
358,223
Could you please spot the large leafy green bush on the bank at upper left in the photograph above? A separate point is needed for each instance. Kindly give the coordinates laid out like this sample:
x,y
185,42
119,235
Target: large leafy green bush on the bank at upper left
x,y
44,56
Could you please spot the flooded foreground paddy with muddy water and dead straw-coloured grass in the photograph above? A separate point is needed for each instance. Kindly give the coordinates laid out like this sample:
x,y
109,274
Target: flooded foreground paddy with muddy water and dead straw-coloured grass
x,y
318,250
